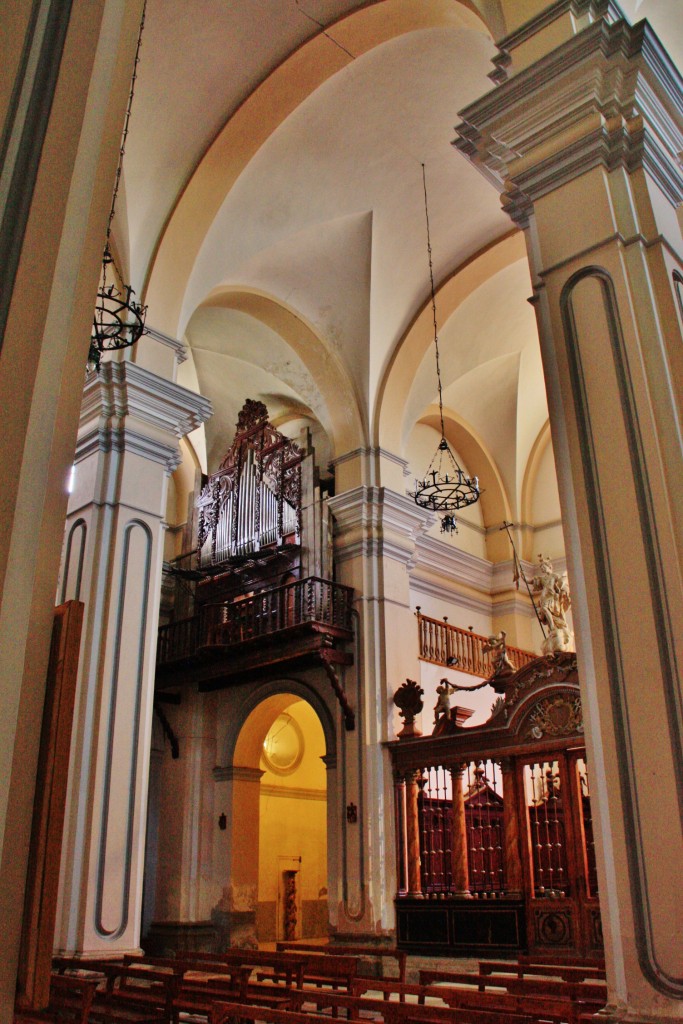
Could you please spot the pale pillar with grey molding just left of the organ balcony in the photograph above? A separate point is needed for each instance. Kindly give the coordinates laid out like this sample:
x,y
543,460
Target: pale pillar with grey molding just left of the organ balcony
x,y
131,423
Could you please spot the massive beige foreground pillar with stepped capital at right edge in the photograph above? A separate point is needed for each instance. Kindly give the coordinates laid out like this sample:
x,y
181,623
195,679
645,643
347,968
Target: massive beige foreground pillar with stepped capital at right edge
x,y
585,142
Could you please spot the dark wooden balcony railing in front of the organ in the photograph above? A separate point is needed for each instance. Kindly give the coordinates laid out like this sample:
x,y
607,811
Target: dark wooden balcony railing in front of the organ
x,y
311,601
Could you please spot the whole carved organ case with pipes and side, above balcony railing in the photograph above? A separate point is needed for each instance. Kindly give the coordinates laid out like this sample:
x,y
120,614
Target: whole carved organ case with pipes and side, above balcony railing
x,y
262,519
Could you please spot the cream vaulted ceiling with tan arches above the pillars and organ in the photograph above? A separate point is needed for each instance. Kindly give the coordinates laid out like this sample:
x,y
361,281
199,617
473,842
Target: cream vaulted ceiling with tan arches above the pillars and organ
x,y
274,217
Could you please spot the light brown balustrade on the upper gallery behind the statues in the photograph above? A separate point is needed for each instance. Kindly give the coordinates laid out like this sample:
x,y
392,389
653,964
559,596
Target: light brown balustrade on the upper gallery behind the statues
x,y
442,644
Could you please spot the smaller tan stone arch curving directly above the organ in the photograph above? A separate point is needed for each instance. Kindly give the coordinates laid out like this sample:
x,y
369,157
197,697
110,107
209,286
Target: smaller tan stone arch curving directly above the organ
x,y
345,424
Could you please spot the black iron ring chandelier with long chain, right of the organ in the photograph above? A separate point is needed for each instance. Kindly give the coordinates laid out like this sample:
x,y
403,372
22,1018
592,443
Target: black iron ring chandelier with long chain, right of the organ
x,y
446,489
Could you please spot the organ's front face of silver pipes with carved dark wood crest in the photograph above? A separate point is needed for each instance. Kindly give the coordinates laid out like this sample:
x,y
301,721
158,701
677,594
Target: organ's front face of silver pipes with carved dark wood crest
x,y
254,502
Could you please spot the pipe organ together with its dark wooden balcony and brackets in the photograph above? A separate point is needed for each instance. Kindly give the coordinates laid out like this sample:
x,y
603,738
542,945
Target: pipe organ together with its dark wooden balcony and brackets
x,y
264,599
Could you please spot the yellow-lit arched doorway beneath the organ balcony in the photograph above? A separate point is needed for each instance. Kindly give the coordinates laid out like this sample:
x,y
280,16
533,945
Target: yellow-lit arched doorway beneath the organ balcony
x,y
279,842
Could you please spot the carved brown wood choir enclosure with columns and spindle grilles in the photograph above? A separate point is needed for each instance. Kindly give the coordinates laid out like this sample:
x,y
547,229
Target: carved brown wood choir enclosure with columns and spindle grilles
x,y
495,847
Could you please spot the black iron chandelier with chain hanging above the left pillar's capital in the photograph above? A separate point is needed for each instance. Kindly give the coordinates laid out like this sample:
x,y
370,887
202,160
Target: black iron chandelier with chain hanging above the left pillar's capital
x,y
119,320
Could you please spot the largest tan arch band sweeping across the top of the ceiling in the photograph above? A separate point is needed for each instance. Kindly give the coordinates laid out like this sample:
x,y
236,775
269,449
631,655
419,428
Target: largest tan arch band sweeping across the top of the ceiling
x,y
265,110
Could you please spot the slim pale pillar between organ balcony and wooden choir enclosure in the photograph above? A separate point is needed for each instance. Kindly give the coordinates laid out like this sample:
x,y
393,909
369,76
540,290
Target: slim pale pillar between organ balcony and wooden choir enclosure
x,y
375,535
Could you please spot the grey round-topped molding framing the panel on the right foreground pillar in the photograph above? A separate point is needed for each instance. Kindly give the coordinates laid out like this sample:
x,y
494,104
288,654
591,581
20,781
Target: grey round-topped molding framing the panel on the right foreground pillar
x,y
630,757
